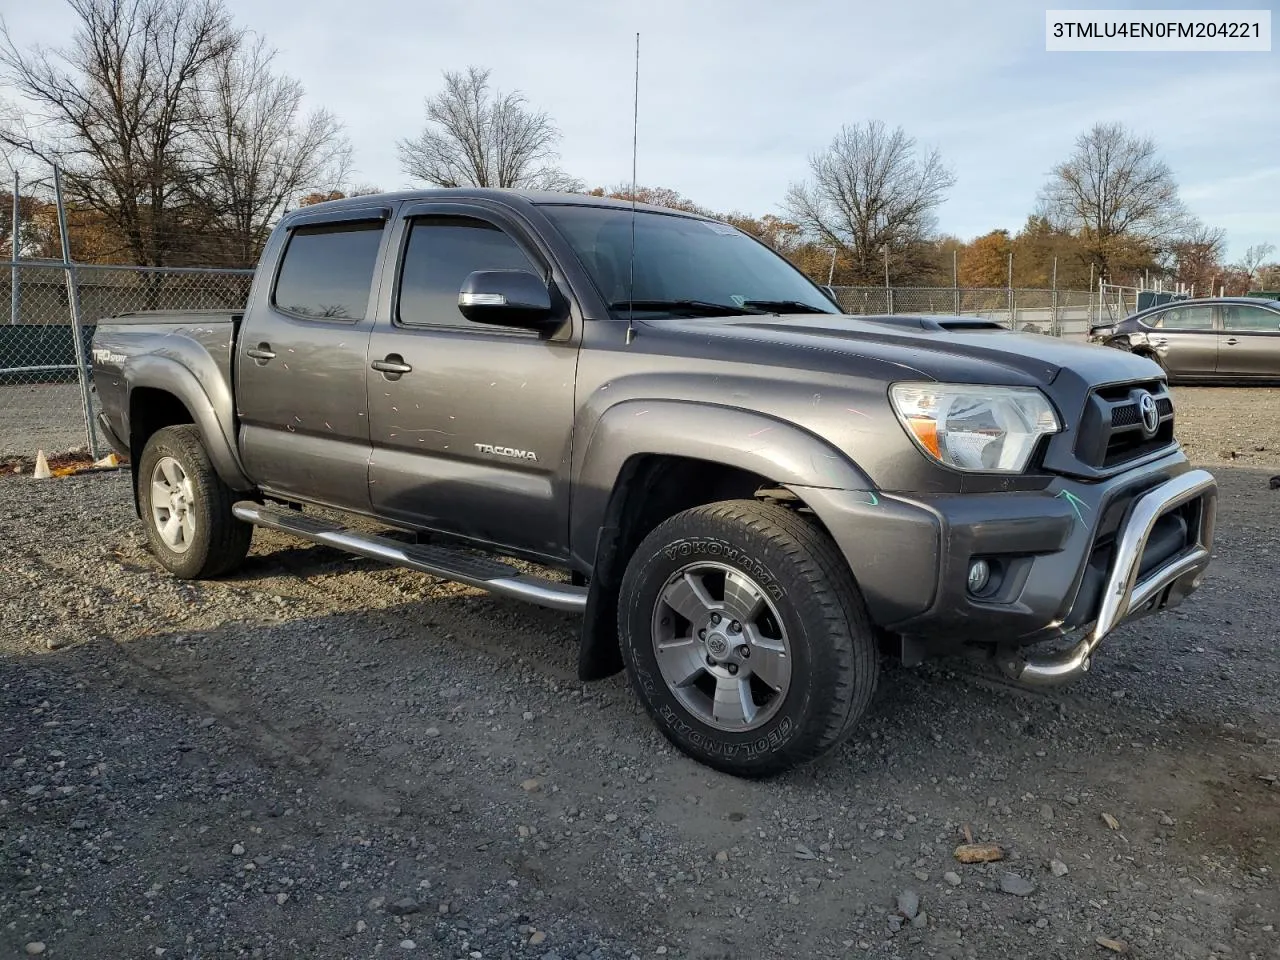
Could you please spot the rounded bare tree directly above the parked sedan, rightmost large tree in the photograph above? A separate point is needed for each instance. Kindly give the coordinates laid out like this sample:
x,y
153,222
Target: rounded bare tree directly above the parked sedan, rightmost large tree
x,y
1118,195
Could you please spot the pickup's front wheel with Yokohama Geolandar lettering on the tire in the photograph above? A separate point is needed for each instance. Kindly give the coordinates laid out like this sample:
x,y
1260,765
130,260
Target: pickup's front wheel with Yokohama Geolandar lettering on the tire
x,y
747,638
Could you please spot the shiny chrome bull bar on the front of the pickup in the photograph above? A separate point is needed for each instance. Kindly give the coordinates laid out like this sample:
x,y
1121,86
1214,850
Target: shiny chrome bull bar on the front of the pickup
x,y
1126,597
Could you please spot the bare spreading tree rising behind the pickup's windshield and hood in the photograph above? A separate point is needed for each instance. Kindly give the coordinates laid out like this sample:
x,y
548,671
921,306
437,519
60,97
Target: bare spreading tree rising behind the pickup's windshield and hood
x,y
870,193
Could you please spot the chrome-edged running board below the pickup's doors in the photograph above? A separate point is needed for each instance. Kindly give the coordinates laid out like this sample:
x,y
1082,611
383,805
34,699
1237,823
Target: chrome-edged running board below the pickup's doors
x,y
468,569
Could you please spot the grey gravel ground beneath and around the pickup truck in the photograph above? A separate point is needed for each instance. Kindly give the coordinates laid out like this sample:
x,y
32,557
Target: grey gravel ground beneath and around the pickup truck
x,y
324,757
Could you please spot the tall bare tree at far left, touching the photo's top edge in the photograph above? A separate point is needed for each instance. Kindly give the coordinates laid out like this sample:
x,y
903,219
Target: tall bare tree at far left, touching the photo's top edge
x,y
115,109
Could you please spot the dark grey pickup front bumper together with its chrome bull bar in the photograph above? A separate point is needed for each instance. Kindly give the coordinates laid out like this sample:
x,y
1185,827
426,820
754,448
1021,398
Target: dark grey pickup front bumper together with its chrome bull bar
x,y
1076,556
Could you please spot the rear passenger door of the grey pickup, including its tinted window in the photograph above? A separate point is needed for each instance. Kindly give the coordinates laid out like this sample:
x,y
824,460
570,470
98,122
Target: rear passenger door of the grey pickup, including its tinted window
x,y
301,362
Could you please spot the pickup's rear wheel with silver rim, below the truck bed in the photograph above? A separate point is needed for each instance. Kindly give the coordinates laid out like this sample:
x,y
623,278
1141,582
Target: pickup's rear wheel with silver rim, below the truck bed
x,y
188,509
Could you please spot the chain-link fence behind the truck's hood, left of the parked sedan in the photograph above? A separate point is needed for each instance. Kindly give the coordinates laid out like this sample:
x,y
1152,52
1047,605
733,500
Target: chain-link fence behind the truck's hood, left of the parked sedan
x,y
1049,312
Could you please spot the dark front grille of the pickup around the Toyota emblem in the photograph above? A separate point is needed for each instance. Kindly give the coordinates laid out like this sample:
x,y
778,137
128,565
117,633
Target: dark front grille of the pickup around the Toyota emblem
x,y
1113,432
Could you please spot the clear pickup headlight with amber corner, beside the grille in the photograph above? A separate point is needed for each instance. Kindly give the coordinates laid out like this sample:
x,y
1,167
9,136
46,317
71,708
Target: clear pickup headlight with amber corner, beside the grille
x,y
975,428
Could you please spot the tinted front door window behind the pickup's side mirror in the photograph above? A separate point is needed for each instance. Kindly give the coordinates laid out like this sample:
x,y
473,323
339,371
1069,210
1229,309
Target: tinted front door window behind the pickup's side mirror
x,y
442,252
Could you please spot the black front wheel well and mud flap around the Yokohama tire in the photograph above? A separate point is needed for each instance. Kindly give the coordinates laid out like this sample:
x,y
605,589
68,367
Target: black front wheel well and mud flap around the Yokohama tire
x,y
650,490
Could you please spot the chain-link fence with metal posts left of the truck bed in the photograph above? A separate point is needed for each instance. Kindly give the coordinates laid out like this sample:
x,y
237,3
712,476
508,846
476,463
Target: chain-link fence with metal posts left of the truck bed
x,y
47,401
